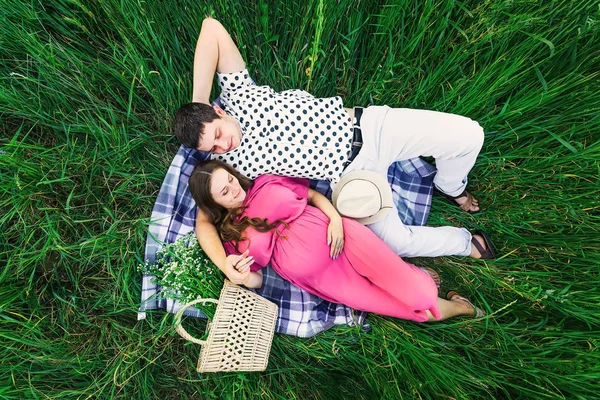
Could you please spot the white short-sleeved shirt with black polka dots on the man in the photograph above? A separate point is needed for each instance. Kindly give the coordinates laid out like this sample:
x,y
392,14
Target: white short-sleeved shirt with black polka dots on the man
x,y
290,133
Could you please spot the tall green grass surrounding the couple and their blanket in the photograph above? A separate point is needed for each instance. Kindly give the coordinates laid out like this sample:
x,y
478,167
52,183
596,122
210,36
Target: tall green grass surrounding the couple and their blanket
x,y
87,93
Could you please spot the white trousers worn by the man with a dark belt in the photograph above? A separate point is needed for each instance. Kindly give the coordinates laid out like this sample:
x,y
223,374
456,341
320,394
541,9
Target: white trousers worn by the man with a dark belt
x,y
393,134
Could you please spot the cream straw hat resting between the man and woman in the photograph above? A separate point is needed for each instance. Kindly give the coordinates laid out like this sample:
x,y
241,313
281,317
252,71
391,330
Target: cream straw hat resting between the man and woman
x,y
364,196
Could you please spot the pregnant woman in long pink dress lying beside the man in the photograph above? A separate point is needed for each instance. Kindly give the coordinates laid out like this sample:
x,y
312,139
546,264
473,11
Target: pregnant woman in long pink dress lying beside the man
x,y
268,221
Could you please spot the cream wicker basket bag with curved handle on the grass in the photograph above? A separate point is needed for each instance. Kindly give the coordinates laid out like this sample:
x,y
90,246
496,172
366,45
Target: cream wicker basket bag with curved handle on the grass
x,y
240,333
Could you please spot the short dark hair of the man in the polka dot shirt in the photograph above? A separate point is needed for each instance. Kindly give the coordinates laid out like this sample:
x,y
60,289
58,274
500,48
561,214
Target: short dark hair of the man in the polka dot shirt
x,y
189,122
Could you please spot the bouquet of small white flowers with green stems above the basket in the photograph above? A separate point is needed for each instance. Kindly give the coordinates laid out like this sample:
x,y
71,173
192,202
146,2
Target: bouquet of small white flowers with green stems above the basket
x,y
185,272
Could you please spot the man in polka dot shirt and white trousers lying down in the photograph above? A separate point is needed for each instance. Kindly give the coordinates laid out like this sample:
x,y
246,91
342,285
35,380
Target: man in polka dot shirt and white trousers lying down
x,y
294,134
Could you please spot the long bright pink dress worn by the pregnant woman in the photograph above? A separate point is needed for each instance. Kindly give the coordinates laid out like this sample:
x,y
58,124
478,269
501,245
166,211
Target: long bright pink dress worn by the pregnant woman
x,y
367,275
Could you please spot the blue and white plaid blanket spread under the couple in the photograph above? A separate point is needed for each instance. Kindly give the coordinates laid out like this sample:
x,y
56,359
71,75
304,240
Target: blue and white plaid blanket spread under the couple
x,y
300,313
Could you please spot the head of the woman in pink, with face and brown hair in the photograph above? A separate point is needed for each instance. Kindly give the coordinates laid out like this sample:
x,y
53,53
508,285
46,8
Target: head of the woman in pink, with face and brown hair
x,y
217,188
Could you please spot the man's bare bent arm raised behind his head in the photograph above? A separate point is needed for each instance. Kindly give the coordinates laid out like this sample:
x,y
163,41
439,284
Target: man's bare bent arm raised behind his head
x,y
215,52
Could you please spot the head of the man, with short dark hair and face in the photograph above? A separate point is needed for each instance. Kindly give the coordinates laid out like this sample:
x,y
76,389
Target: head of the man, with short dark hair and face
x,y
208,128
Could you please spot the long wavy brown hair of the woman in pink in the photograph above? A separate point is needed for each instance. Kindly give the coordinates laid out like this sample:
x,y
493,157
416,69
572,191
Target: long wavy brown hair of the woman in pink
x,y
227,221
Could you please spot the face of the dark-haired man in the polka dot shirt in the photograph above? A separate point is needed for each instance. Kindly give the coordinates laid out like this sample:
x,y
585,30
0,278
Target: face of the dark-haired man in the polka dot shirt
x,y
221,135
